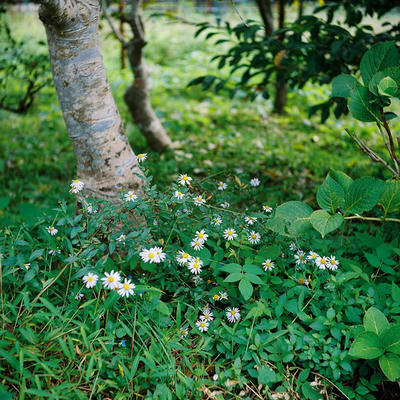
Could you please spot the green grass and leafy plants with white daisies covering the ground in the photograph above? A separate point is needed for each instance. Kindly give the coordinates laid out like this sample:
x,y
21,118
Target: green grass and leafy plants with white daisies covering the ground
x,y
231,289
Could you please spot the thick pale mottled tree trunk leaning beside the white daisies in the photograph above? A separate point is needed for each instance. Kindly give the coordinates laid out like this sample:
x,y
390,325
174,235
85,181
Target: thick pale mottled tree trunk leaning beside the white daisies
x,y
105,161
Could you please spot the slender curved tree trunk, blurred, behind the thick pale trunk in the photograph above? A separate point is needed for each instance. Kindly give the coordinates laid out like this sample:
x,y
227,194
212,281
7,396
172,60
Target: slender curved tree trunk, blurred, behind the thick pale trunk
x,y
137,97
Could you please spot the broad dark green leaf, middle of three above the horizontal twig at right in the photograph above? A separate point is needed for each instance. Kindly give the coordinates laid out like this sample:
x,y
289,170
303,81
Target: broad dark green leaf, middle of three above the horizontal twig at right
x,y
363,194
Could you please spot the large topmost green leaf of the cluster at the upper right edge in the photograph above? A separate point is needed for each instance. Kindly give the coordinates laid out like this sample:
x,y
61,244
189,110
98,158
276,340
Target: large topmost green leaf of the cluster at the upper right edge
x,y
377,58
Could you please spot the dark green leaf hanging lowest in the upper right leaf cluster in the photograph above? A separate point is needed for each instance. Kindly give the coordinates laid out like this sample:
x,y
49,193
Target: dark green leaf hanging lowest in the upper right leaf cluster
x,y
361,105
